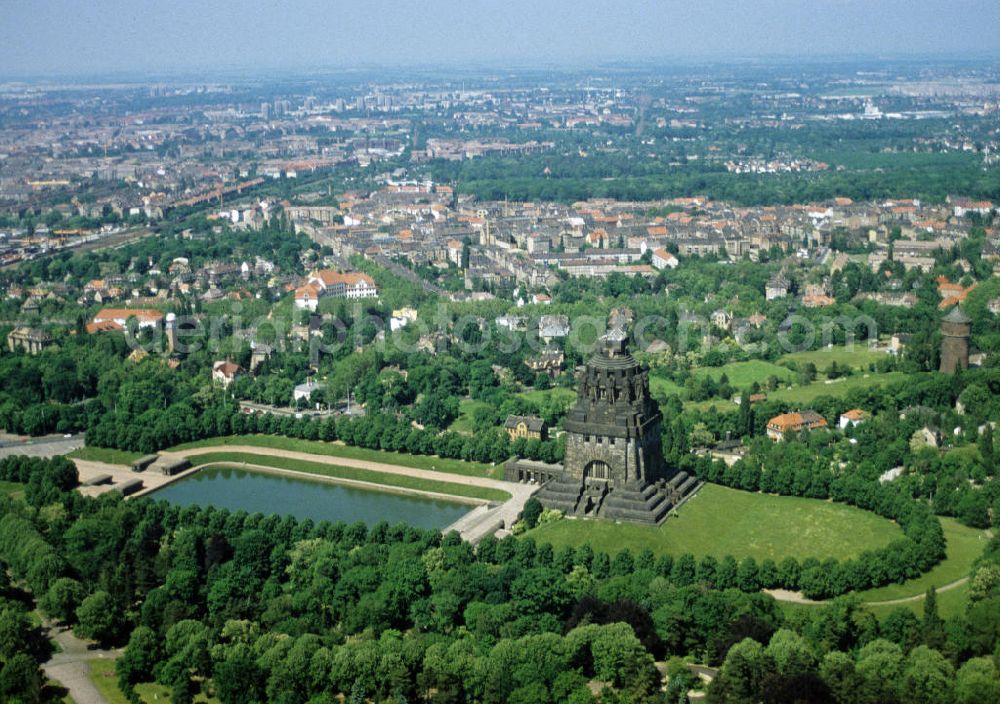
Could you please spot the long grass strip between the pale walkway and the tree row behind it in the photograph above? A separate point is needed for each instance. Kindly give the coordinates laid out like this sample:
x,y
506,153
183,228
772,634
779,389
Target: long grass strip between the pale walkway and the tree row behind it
x,y
333,449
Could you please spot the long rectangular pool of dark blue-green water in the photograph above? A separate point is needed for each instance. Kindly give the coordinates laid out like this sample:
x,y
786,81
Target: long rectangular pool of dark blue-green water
x,y
234,489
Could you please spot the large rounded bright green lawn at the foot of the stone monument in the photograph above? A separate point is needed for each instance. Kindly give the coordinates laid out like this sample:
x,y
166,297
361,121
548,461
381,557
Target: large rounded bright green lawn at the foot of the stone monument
x,y
720,521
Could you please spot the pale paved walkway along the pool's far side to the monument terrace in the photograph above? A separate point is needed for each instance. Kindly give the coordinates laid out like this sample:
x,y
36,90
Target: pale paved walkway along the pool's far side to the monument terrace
x,y
473,527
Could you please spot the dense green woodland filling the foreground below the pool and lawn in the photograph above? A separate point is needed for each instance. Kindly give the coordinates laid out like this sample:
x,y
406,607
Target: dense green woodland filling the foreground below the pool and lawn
x,y
252,609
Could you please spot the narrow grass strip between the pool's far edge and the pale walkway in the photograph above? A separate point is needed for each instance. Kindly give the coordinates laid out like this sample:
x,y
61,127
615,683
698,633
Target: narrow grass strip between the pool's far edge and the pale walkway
x,y
401,481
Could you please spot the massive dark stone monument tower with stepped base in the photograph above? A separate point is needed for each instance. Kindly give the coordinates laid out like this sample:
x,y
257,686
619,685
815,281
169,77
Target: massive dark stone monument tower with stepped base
x,y
614,465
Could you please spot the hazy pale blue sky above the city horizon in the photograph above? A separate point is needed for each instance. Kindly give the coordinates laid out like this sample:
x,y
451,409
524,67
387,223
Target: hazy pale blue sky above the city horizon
x,y
76,36
